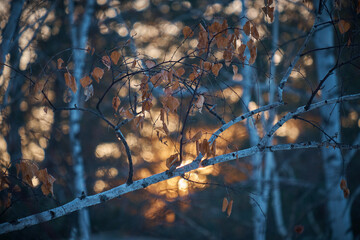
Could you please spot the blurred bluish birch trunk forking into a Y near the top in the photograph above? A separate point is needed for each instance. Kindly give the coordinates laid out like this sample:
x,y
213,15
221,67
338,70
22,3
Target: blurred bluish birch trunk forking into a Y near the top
x,y
79,38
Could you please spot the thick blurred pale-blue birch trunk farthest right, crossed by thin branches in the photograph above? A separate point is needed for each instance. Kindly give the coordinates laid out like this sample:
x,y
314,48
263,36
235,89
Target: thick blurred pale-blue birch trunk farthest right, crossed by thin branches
x,y
338,214
